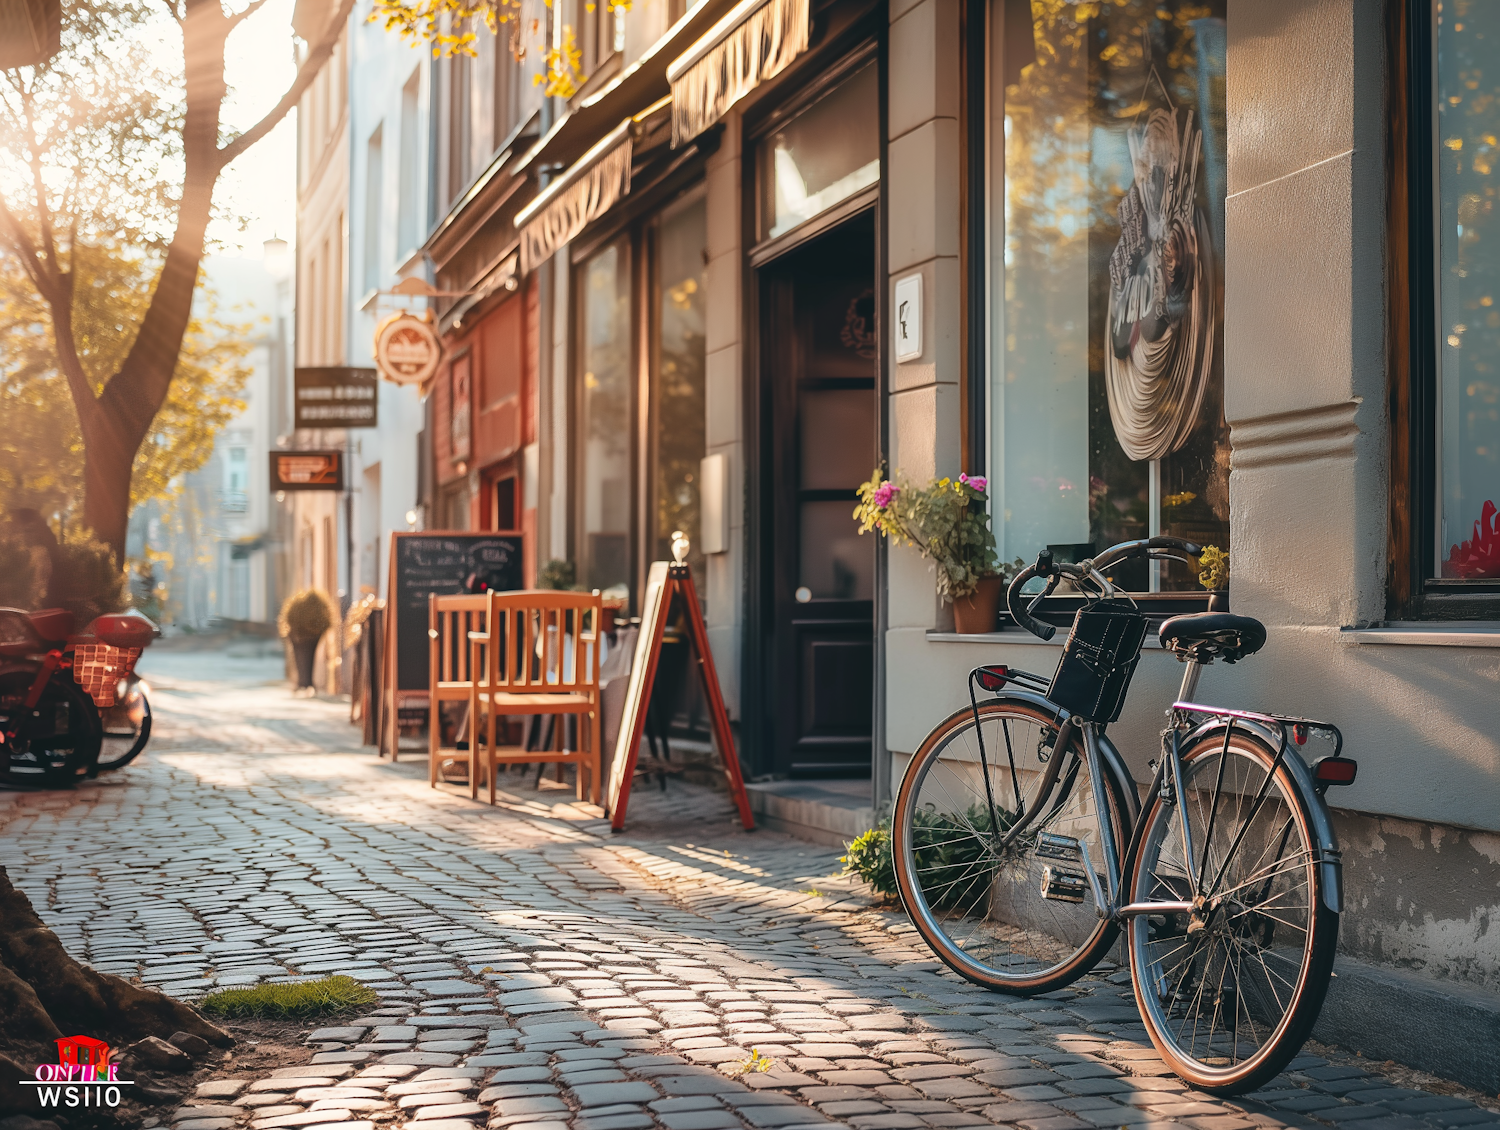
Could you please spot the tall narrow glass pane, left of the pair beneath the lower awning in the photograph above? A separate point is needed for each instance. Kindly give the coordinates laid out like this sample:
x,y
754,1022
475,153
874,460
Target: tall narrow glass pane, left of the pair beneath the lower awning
x,y
604,421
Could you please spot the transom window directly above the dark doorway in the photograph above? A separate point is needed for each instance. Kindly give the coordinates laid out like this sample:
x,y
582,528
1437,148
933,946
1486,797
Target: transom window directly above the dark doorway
x,y
824,155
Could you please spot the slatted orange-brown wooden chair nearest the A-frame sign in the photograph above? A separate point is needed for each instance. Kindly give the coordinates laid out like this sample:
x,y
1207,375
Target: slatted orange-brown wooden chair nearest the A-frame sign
x,y
538,655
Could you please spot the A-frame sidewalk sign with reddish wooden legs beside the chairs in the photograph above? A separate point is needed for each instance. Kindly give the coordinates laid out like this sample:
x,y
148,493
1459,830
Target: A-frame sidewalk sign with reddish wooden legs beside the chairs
x,y
665,582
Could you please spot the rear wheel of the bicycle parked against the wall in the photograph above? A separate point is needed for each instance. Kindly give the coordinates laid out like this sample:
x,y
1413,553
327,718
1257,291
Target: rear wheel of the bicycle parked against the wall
x,y
1238,939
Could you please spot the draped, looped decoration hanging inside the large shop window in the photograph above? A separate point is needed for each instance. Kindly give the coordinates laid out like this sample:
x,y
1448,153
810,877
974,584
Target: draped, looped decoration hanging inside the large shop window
x,y
1163,292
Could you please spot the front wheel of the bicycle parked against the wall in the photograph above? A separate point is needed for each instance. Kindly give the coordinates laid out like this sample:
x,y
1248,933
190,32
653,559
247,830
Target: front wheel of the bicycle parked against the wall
x,y
1010,913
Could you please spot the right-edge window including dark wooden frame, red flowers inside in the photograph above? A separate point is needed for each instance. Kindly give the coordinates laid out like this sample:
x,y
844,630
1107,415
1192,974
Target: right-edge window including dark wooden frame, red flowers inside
x,y
1447,250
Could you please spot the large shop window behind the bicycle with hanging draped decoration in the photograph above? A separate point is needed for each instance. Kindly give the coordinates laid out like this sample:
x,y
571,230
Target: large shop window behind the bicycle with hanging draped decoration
x,y
1106,395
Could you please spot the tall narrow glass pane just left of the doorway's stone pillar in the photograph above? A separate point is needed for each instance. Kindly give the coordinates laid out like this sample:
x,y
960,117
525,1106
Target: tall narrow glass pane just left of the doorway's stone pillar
x,y
679,379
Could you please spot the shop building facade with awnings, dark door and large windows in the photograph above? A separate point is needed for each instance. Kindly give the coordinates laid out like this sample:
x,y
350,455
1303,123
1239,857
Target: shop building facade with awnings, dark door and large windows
x,y
1217,271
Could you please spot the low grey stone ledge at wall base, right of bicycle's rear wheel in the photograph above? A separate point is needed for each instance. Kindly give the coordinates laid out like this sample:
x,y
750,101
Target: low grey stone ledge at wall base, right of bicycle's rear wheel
x,y
1442,1027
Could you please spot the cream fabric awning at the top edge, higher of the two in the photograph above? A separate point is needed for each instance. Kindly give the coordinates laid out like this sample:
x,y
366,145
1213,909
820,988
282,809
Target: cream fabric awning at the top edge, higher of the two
x,y
755,43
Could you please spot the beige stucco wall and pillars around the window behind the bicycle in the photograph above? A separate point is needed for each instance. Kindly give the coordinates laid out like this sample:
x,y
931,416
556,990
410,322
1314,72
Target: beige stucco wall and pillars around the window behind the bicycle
x,y
1306,392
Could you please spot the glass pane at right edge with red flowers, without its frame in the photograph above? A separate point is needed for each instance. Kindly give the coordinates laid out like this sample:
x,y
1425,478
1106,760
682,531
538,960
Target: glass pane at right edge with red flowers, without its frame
x,y
1468,155
